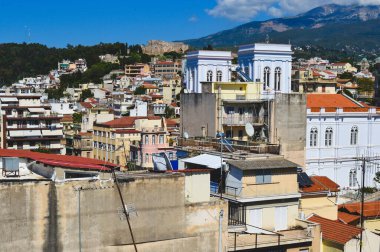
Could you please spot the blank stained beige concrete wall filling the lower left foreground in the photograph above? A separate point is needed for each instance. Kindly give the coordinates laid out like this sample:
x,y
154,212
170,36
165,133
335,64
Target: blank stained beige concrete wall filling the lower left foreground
x,y
44,216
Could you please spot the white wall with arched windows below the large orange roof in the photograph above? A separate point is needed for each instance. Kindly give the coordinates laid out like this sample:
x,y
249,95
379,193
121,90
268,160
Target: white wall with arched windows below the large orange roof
x,y
338,160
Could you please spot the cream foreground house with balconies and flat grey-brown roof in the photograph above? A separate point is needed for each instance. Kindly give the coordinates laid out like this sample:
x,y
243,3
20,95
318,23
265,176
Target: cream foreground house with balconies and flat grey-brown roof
x,y
263,200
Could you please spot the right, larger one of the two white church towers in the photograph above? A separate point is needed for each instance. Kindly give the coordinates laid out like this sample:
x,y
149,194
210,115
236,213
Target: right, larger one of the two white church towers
x,y
270,64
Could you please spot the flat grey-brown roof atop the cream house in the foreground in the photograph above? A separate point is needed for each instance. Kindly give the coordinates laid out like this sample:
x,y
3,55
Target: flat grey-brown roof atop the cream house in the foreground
x,y
258,164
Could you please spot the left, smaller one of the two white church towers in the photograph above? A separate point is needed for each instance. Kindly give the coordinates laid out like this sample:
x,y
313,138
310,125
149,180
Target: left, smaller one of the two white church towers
x,y
210,66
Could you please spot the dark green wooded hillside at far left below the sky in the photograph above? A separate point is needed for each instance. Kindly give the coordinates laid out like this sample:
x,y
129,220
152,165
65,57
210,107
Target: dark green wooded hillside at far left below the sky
x,y
26,60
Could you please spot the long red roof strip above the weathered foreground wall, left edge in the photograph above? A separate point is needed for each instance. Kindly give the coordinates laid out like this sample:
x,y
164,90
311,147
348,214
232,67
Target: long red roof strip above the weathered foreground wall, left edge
x,y
58,160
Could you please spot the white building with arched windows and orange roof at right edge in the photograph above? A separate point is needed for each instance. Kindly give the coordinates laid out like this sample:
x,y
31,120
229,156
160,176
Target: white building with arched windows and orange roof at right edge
x,y
339,131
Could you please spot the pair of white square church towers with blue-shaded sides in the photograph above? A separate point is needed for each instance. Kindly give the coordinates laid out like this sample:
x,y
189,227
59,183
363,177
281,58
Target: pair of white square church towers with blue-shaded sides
x,y
270,64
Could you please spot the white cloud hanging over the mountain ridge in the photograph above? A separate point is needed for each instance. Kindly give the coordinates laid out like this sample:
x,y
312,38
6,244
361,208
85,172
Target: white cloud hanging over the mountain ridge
x,y
244,10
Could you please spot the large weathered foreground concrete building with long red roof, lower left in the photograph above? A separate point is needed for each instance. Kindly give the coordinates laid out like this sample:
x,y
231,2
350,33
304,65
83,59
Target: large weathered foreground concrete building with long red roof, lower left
x,y
86,214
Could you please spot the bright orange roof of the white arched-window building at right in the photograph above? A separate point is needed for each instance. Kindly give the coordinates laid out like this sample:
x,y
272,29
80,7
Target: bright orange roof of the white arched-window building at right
x,y
329,101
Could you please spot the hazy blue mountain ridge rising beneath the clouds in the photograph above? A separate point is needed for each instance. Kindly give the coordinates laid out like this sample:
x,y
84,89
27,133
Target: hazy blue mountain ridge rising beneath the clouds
x,y
322,21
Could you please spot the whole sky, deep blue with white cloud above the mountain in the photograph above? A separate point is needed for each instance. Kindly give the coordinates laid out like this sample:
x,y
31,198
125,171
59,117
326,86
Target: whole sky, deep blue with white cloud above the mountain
x,y
58,23
